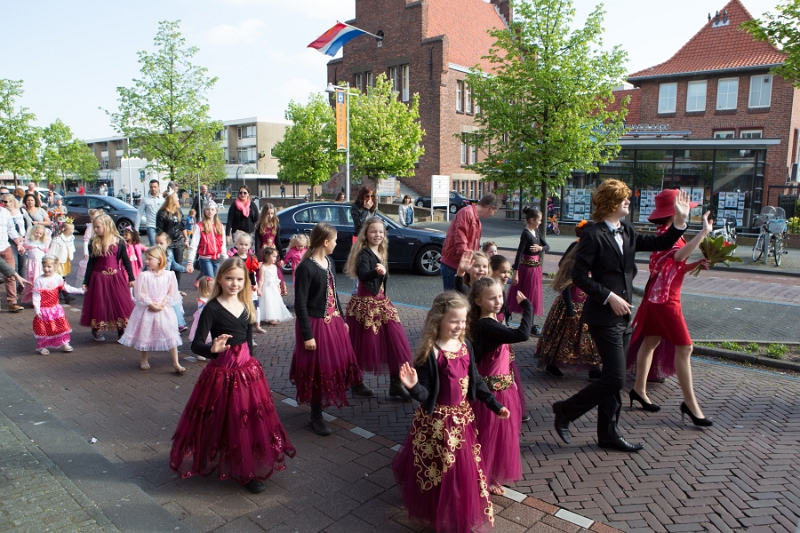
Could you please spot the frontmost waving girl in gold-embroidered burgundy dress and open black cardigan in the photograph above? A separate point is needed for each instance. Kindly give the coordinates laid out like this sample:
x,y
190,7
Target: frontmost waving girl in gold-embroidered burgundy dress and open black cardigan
x,y
439,467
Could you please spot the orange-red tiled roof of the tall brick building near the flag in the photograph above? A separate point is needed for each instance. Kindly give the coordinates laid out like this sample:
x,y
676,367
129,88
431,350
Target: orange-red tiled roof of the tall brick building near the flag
x,y
465,23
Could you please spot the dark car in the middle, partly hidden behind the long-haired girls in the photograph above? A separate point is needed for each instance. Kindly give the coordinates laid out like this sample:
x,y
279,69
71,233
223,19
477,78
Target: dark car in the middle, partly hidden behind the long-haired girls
x,y
414,248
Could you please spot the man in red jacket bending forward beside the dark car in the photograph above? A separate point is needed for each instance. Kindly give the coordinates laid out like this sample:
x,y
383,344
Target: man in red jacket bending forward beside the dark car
x,y
464,235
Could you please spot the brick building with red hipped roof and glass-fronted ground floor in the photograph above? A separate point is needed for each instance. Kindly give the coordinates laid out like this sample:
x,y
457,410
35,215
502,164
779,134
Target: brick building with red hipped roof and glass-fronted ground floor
x,y
711,120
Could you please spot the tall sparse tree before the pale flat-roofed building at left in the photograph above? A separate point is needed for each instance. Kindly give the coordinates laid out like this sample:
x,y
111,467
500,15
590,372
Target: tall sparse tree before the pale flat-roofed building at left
x,y
165,114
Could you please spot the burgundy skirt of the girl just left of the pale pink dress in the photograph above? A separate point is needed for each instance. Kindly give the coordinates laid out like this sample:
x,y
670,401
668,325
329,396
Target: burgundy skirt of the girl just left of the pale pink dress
x,y
108,303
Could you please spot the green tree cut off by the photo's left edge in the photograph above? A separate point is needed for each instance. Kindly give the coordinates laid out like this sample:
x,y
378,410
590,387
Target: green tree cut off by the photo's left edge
x,y
19,138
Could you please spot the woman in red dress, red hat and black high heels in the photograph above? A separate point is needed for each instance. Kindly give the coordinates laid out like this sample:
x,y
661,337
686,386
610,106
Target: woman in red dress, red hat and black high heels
x,y
661,345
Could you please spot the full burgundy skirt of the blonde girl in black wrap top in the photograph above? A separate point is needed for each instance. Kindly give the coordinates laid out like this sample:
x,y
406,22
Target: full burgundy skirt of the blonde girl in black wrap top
x,y
230,423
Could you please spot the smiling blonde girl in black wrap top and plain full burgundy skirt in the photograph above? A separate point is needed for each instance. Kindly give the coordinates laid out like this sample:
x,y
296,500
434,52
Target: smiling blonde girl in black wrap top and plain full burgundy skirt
x,y
229,423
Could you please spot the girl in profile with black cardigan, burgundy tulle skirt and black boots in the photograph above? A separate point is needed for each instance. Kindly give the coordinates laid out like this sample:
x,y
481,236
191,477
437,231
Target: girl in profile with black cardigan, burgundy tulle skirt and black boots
x,y
323,363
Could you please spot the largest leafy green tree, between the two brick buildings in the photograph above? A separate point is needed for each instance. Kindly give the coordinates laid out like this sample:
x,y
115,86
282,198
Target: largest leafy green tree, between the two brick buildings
x,y
543,106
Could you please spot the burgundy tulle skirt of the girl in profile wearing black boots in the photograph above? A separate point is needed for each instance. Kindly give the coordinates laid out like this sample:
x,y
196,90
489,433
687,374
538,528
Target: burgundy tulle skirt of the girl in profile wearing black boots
x,y
324,375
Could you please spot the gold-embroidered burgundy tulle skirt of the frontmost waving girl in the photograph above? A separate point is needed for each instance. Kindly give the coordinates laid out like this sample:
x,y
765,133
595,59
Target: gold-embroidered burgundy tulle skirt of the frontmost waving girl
x,y
439,471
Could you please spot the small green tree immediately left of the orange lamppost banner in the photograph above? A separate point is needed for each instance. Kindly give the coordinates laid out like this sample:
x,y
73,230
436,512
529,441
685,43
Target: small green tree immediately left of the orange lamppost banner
x,y
307,152
